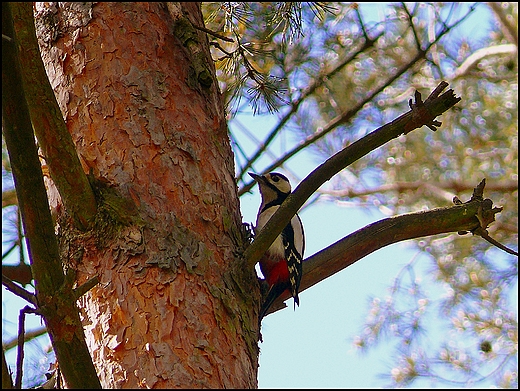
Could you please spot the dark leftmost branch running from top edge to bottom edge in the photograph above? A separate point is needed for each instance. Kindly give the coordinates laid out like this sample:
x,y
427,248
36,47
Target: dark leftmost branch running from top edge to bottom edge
x,y
55,300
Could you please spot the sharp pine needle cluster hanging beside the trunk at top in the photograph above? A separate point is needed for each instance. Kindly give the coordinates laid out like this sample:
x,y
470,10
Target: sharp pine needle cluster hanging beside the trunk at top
x,y
246,66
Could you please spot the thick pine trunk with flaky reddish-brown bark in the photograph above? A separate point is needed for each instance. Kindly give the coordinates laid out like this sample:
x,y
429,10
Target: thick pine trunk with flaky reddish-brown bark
x,y
137,88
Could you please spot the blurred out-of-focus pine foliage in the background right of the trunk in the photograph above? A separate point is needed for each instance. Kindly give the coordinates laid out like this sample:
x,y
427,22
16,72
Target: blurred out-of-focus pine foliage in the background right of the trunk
x,y
347,69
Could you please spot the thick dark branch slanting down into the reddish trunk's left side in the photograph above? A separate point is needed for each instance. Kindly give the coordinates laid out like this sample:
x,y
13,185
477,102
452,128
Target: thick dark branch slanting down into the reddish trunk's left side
x,y
49,126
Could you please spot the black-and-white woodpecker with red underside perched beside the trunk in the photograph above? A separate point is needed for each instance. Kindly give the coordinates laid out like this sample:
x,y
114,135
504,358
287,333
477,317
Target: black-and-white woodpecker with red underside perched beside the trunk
x,y
281,265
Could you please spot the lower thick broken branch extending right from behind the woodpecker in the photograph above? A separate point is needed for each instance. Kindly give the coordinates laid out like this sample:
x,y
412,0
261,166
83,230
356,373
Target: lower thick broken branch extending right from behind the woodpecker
x,y
352,248
